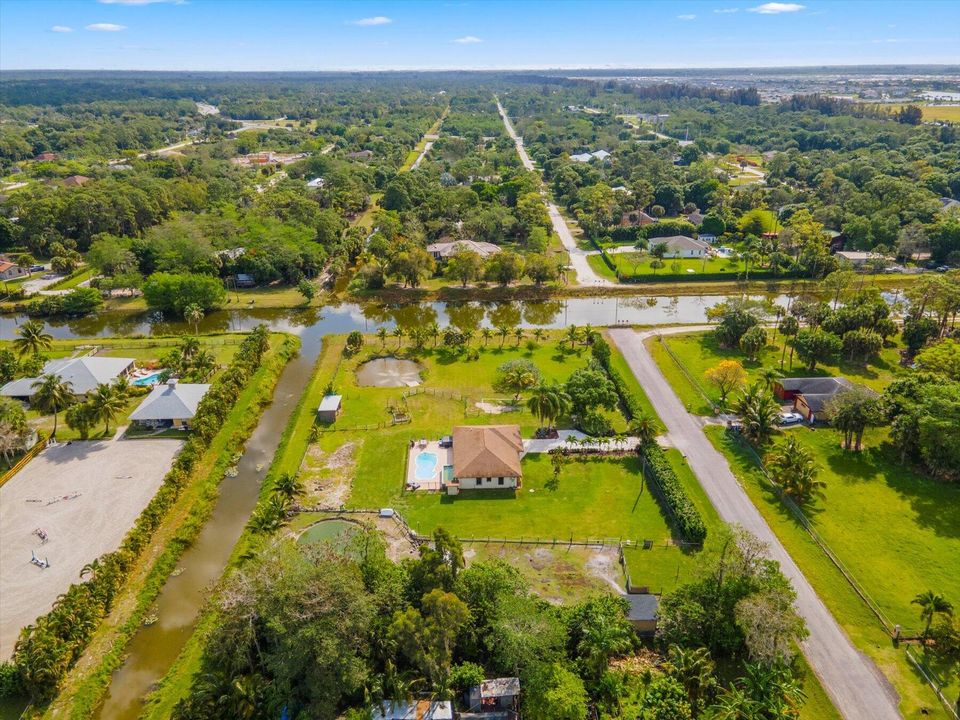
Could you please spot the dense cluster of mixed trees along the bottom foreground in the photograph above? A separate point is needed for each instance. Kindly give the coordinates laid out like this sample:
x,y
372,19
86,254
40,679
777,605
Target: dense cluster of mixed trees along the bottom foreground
x,y
431,627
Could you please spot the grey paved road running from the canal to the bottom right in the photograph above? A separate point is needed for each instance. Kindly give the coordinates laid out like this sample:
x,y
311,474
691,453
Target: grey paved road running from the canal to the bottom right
x,y
856,686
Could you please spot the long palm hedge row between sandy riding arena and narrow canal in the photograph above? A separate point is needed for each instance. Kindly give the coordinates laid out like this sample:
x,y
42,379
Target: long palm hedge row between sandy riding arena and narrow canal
x,y
48,649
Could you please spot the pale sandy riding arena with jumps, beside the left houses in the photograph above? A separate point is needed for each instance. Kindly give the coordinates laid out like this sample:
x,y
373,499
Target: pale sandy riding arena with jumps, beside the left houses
x,y
84,496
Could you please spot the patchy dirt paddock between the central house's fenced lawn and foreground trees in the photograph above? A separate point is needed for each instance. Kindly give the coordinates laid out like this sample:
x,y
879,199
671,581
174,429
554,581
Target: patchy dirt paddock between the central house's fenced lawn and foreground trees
x,y
559,574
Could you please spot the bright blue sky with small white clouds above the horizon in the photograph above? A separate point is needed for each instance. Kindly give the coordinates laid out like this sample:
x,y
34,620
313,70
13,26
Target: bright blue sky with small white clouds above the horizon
x,y
305,35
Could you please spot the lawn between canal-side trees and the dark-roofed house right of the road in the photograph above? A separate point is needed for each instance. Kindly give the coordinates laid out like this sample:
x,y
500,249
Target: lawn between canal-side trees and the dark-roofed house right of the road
x,y
698,352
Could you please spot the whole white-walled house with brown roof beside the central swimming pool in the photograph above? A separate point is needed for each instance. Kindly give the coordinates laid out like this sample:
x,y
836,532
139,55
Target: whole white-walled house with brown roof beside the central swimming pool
x,y
485,457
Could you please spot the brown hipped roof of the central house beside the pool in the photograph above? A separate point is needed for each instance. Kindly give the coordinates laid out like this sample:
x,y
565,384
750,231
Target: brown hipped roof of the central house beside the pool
x,y
487,451
